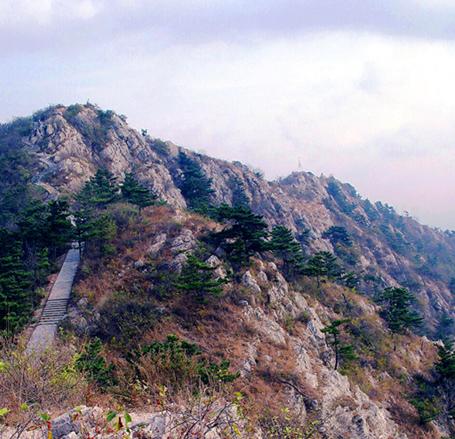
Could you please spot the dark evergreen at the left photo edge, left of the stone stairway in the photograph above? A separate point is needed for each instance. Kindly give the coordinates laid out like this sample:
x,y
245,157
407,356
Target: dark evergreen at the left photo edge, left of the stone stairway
x,y
15,292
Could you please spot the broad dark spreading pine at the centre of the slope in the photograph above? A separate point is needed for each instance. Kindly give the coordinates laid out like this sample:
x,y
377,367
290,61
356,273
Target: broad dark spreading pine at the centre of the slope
x,y
244,236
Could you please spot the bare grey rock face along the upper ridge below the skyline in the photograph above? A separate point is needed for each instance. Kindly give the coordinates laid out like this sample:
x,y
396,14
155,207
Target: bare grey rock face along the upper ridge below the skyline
x,y
70,143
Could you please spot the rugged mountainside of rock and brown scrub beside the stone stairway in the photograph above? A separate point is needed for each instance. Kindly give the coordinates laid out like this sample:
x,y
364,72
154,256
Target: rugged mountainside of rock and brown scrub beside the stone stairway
x,y
185,317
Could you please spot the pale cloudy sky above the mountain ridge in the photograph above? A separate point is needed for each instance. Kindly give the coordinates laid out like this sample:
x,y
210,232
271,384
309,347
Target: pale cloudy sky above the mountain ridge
x,y
360,89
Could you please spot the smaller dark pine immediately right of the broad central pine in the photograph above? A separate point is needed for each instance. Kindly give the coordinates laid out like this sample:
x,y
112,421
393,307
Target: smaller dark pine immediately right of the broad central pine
x,y
284,245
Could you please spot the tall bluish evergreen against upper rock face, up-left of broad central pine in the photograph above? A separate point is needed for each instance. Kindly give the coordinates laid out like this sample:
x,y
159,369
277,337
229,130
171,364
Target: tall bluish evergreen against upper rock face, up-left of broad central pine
x,y
194,185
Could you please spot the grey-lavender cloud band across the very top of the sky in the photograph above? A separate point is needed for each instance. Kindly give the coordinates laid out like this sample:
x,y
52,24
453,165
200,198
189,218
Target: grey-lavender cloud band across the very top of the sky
x,y
61,24
